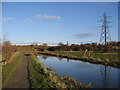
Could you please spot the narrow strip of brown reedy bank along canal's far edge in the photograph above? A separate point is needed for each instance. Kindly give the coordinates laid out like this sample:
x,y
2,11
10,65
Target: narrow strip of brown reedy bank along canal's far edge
x,y
106,62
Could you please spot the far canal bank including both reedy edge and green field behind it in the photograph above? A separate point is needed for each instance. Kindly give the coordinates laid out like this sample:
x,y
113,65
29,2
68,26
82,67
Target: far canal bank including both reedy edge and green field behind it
x,y
101,59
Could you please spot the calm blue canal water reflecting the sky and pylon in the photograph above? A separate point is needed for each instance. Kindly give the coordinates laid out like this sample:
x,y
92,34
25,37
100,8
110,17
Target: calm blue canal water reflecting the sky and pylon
x,y
98,75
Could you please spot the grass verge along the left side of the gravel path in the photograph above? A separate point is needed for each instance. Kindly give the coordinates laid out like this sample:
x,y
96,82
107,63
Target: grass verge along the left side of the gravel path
x,y
9,68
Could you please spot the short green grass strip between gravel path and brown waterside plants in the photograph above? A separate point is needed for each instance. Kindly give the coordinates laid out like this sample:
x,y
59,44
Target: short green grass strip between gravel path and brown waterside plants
x,y
36,79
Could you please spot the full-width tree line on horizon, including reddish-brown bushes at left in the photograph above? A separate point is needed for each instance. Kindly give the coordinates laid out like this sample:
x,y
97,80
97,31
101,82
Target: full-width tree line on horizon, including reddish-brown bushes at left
x,y
7,49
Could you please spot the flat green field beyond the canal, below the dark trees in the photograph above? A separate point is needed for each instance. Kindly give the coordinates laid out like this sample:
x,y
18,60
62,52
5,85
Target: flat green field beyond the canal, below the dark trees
x,y
110,56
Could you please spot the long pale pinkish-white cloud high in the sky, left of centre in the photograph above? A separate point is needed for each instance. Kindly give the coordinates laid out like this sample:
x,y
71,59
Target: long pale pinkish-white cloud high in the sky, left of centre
x,y
47,17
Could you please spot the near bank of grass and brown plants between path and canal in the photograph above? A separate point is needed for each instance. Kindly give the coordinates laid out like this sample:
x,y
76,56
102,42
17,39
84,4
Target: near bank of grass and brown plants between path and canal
x,y
42,77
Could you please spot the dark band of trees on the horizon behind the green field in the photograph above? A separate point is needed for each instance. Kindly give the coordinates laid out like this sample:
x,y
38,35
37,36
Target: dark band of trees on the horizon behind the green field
x,y
113,46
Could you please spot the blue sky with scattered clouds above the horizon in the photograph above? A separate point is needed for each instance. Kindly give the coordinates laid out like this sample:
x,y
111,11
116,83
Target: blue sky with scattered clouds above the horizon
x,y
54,22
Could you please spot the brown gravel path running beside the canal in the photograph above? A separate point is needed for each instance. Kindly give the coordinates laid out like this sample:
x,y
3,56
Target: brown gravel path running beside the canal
x,y
19,79
